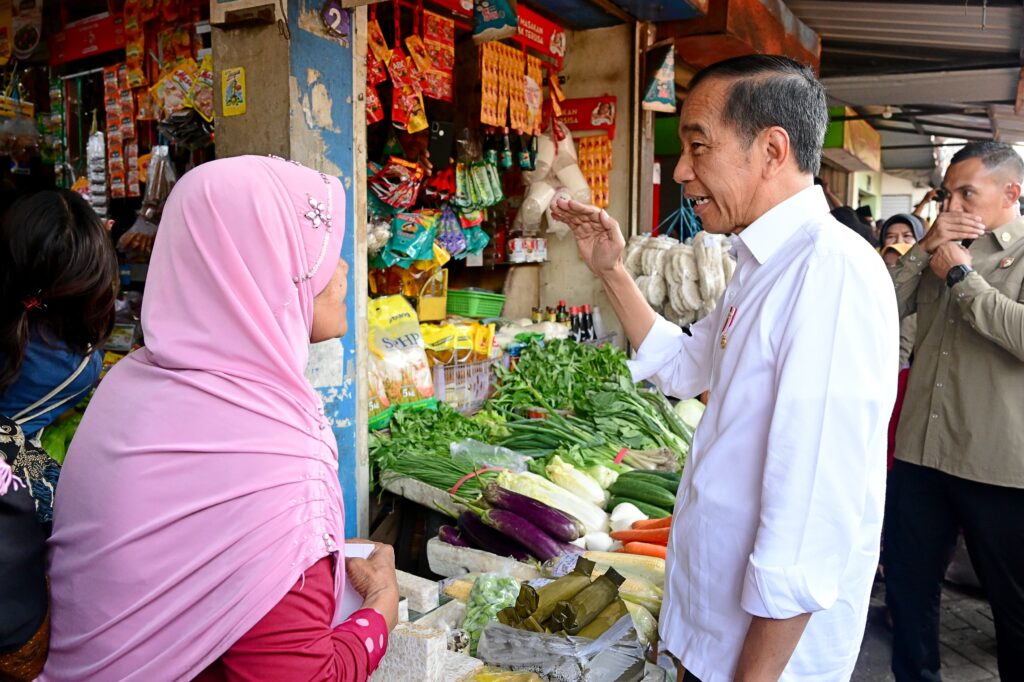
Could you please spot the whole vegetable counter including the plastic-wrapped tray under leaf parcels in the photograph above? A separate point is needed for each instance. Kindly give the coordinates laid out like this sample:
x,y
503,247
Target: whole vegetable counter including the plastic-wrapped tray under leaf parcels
x,y
559,496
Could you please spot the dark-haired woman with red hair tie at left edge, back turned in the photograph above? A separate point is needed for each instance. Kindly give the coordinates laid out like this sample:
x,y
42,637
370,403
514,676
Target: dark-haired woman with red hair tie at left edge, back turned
x,y
58,273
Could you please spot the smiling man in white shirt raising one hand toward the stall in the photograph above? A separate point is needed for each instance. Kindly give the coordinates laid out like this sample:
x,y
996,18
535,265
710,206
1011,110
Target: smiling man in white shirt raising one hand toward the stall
x,y
776,539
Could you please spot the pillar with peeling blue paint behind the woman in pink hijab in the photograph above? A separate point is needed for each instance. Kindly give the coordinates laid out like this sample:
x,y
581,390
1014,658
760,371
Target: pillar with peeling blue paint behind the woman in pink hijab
x,y
305,90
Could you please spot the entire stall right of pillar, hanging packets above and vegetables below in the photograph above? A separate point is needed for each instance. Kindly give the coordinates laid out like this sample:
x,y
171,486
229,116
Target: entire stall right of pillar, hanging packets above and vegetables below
x,y
511,456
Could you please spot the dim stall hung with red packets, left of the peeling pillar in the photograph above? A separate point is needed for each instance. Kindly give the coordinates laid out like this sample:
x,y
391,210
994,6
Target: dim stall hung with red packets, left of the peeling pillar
x,y
112,100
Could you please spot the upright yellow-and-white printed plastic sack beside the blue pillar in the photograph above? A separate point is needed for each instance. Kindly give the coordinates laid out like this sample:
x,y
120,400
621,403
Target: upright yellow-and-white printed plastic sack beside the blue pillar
x,y
397,346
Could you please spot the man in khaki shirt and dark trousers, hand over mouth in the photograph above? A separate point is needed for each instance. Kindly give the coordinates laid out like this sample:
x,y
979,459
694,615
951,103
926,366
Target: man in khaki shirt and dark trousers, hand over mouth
x,y
960,447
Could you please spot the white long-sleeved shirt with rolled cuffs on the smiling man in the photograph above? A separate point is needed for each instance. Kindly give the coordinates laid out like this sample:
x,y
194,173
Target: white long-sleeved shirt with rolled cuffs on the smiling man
x,y
780,510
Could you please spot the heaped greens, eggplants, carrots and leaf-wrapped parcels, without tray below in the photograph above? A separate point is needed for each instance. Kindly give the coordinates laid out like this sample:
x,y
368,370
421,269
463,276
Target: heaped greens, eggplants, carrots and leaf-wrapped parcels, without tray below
x,y
603,459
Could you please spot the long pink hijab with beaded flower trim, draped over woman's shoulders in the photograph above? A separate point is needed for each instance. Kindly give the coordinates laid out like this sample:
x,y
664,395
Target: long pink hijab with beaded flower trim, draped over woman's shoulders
x,y
203,481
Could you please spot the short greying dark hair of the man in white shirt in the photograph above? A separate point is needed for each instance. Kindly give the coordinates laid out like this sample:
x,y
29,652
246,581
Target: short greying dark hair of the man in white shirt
x,y
771,91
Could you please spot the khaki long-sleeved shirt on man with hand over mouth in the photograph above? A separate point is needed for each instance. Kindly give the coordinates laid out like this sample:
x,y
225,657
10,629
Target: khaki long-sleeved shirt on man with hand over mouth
x,y
964,412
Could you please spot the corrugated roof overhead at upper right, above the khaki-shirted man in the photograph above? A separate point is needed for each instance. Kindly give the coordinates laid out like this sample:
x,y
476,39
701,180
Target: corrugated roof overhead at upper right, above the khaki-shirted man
x,y
924,70
